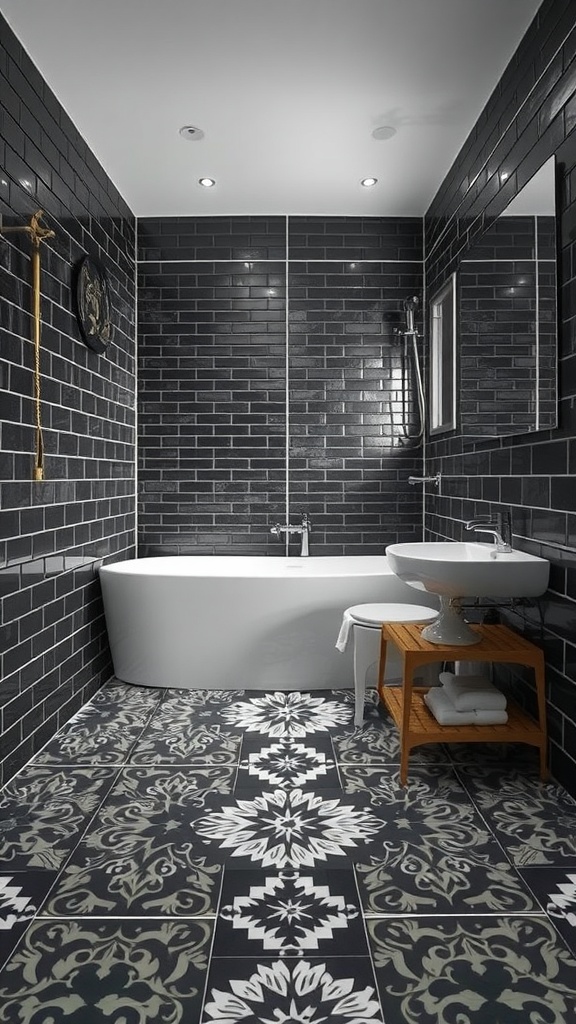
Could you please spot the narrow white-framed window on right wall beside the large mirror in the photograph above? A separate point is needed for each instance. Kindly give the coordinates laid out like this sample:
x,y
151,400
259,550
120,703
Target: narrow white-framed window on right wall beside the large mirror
x,y
443,359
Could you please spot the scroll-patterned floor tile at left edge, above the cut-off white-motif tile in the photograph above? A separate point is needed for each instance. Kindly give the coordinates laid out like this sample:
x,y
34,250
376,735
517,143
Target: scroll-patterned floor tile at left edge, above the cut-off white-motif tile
x,y
45,812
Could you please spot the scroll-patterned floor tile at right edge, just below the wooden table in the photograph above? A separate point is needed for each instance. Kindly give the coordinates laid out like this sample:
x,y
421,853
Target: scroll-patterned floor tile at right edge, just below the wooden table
x,y
536,822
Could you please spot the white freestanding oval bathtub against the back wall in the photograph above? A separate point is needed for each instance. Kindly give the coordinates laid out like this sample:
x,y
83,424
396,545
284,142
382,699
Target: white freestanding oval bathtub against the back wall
x,y
240,623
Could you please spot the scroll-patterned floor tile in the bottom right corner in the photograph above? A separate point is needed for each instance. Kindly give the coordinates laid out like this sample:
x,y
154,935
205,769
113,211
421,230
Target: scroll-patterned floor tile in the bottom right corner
x,y
507,970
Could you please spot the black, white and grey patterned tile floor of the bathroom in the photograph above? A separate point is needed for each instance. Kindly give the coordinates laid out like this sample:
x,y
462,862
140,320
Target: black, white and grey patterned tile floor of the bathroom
x,y
227,858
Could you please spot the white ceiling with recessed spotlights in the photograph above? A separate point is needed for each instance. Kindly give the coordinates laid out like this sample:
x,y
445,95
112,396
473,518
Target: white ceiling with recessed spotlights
x,y
286,92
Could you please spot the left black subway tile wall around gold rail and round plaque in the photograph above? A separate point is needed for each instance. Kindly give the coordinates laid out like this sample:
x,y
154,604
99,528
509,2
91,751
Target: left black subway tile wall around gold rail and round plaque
x,y
54,648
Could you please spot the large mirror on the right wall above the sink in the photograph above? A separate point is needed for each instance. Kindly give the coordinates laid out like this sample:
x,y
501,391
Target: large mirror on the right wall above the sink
x,y
508,322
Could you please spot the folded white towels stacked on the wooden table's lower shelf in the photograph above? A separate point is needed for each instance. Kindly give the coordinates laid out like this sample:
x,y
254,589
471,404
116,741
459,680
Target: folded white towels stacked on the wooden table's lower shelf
x,y
467,698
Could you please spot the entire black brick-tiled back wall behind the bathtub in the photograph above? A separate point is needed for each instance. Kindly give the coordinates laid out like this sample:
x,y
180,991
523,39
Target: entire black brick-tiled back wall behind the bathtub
x,y
271,383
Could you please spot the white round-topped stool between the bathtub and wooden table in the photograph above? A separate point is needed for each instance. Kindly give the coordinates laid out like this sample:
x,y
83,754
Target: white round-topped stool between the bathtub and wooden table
x,y
366,622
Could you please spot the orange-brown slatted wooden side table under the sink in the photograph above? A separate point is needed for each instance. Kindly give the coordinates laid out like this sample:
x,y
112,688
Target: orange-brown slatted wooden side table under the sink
x,y
418,726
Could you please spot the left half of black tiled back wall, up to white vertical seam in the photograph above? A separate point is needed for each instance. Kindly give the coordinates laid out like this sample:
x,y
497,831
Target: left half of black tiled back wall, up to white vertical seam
x,y
212,383
